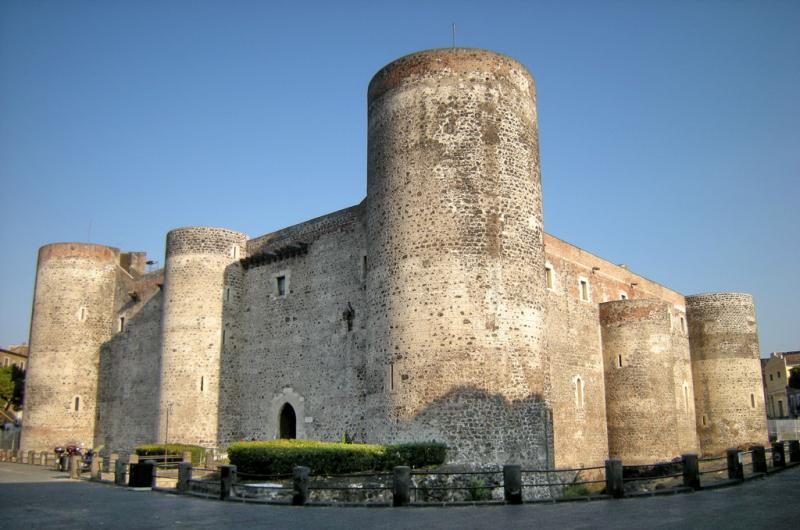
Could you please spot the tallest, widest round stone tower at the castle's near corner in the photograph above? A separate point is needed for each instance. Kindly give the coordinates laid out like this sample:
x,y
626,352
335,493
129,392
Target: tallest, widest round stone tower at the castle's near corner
x,y
455,256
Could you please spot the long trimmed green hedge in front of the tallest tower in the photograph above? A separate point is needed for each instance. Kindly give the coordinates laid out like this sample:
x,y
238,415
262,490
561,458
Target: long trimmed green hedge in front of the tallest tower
x,y
278,457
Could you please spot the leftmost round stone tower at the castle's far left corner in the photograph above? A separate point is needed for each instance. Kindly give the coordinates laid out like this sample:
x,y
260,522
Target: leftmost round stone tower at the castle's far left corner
x,y
73,312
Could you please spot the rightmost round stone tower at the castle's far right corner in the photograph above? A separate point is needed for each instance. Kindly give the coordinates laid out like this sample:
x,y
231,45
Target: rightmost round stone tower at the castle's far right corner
x,y
729,395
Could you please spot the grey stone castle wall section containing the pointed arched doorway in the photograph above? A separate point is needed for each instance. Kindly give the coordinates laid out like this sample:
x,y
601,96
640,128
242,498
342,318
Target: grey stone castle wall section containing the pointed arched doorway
x,y
296,349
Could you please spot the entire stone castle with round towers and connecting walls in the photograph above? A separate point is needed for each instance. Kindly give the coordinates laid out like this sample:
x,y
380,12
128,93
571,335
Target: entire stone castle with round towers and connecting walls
x,y
436,309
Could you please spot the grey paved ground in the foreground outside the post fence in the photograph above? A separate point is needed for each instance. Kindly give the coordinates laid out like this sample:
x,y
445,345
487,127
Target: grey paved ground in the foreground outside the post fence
x,y
33,497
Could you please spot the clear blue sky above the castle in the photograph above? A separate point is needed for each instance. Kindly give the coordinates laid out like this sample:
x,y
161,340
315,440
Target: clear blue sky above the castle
x,y
670,131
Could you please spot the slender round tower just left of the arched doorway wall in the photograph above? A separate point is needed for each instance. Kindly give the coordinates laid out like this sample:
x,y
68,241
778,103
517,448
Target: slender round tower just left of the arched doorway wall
x,y
198,259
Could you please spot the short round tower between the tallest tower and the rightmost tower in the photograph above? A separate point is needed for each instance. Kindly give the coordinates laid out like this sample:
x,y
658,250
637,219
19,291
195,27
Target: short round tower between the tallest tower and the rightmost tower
x,y
649,394
